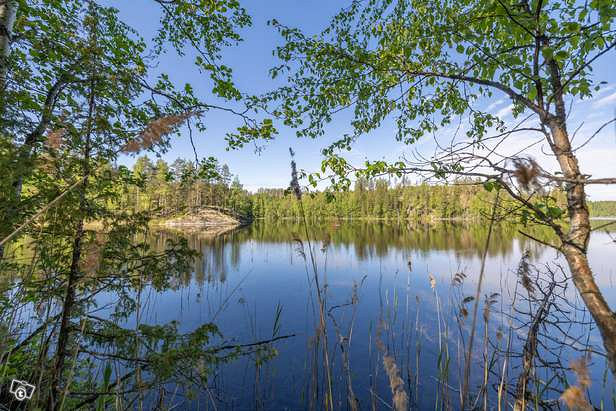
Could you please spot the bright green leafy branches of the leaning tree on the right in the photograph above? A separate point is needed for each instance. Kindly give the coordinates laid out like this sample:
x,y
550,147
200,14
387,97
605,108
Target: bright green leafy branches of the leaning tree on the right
x,y
426,63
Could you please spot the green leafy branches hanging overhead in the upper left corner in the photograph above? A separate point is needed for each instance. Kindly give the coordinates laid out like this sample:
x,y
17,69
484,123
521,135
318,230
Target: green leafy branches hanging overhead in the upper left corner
x,y
52,60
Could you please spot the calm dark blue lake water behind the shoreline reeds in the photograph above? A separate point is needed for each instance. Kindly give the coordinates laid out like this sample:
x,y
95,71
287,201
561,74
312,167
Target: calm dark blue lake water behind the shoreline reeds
x,y
255,284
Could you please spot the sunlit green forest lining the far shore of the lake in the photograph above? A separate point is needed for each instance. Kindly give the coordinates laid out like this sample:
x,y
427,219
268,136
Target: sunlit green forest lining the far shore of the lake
x,y
181,187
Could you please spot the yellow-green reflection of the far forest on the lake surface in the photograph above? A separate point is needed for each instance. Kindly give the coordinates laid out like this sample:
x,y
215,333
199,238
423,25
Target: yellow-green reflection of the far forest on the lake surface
x,y
222,254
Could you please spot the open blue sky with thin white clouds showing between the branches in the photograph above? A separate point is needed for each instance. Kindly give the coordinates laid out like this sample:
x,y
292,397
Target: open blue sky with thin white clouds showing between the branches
x,y
252,59
